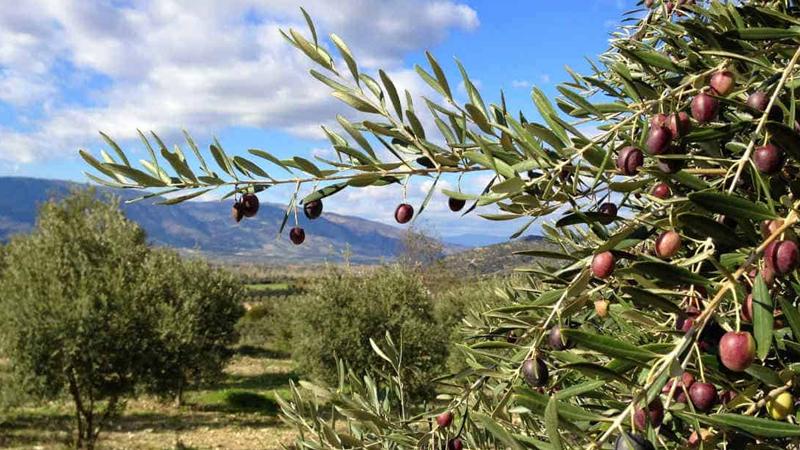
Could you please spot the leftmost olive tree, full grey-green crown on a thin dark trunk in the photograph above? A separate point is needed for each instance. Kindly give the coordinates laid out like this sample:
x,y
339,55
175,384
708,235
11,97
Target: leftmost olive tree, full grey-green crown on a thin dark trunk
x,y
72,307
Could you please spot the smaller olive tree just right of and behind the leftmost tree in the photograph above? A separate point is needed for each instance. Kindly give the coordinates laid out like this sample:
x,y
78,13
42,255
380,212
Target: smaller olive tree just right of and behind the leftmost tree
x,y
196,313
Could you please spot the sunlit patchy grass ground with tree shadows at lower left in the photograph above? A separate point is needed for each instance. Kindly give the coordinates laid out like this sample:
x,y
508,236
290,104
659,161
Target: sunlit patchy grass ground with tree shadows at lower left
x,y
238,413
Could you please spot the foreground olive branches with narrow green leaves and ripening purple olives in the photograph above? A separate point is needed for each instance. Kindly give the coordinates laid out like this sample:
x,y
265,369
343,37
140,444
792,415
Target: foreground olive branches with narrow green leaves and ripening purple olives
x,y
721,185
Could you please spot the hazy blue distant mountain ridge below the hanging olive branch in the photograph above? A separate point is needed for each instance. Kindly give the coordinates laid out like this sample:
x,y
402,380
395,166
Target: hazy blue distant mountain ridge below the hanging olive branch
x,y
207,228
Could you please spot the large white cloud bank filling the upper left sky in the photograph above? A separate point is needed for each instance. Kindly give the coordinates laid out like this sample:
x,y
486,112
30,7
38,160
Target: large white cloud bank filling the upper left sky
x,y
199,64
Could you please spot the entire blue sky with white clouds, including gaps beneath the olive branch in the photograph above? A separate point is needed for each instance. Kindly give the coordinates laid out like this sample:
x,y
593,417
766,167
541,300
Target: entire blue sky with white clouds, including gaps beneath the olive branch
x,y
70,68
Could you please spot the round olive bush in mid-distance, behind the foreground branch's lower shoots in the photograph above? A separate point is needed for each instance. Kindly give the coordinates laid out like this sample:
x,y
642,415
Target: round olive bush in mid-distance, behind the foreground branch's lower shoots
x,y
343,312
